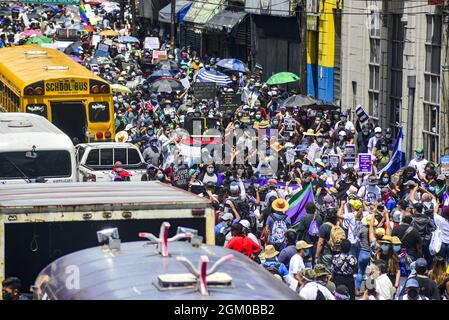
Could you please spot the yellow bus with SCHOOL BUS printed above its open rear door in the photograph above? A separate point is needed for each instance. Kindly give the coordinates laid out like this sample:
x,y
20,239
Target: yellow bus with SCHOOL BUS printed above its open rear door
x,y
49,83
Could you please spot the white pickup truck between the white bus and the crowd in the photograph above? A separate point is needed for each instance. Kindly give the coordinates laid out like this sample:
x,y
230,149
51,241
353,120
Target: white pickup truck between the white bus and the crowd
x,y
96,160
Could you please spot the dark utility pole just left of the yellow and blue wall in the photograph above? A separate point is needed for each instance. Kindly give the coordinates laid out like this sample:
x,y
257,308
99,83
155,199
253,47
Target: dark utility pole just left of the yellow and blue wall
x,y
302,22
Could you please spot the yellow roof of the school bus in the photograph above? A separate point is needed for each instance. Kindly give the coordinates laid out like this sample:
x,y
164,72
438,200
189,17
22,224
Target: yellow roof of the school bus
x,y
27,69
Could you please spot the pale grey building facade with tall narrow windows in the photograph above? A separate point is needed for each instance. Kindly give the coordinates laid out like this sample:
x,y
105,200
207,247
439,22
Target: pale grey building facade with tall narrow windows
x,y
393,62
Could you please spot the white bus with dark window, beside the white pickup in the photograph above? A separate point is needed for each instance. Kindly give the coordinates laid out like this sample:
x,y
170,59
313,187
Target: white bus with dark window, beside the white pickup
x,y
32,149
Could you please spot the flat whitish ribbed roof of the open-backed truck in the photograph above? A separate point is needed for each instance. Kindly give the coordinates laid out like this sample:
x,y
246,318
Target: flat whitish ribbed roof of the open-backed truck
x,y
62,197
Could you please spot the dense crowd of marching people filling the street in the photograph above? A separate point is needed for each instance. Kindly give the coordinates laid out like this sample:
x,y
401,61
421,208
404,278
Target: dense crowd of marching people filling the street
x,y
307,209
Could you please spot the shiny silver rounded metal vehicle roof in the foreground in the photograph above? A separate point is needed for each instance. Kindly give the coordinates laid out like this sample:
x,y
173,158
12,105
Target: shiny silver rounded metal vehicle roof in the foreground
x,y
132,272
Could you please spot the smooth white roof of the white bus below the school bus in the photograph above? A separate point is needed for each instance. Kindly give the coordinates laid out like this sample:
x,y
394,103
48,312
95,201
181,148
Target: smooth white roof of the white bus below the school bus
x,y
20,131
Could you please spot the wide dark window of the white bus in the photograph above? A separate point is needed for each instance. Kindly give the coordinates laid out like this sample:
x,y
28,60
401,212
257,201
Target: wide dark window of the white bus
x,y
46,164
